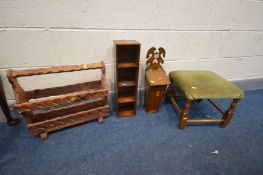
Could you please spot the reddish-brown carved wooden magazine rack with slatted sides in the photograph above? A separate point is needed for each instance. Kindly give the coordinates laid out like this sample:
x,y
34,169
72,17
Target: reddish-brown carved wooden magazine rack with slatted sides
x,y
86,101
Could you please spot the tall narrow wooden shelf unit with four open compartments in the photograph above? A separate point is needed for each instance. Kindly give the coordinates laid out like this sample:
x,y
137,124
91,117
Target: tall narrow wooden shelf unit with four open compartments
x,y
127,69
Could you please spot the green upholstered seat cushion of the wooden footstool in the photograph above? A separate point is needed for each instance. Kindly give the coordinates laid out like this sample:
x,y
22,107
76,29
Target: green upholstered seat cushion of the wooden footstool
x,y
204,84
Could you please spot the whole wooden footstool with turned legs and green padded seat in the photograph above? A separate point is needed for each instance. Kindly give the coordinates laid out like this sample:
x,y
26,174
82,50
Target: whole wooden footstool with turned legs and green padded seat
x,y
199,85
